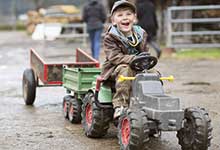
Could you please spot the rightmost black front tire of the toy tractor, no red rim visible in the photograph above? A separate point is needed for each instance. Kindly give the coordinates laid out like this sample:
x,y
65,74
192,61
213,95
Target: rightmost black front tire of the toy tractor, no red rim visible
x,y
196,133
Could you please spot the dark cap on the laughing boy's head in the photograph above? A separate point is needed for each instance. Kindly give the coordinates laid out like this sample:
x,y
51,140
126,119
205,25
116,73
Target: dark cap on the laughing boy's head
x,y
123,4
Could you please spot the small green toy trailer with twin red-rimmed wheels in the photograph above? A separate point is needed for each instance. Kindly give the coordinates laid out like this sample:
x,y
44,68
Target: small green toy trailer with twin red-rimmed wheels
x,y
77,81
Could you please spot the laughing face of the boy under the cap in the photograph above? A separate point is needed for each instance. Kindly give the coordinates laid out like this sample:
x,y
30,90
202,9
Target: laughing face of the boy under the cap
x,y
124,18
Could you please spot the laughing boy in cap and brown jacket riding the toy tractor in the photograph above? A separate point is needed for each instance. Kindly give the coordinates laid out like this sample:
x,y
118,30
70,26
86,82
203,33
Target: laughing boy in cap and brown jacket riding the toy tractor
x,y
122,43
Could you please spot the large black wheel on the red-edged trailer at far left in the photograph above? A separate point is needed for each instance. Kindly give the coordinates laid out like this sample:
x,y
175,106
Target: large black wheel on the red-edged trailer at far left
x,y
29,86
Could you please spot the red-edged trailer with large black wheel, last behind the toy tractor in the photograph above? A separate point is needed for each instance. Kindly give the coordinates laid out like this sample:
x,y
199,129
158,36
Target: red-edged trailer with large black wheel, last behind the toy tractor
x,y
46,70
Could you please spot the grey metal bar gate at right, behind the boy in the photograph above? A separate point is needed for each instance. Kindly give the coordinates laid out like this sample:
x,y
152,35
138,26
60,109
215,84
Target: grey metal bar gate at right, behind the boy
x,y
193,26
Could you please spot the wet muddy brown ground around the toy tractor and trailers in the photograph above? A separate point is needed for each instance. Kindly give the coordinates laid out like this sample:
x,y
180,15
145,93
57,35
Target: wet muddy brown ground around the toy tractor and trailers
x,y
43,126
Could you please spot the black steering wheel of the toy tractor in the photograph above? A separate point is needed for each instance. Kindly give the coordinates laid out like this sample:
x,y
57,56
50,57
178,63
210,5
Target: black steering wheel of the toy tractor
x,y
141,63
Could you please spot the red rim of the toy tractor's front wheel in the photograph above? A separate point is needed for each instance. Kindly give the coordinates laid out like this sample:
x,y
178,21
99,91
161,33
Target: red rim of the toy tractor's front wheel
x,y
125,131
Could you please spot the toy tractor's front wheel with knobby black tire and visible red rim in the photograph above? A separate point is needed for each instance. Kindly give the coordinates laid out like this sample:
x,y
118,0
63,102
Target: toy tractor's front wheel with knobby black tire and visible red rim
x,y
133,131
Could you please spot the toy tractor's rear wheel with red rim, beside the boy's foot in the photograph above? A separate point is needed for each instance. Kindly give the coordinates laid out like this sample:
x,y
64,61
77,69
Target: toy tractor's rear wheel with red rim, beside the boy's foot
x,y
95,121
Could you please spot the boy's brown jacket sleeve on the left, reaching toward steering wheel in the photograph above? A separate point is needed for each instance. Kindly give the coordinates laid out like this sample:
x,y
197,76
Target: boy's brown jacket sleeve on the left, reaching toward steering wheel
x,y
115,51
